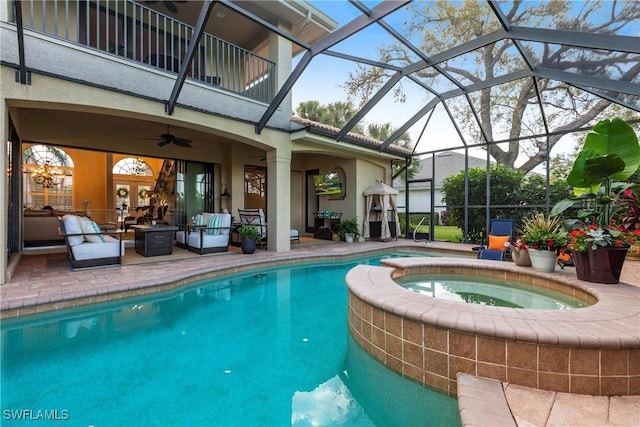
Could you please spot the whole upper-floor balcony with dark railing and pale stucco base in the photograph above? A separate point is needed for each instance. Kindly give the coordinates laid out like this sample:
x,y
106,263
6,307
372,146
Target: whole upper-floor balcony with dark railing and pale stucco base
x,y
138,47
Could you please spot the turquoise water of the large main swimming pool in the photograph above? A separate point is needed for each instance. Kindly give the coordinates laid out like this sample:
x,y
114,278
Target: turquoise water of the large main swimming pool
x,y
265,348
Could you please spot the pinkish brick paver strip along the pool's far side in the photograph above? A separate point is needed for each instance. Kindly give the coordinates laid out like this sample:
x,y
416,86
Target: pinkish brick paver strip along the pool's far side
x,y
91,286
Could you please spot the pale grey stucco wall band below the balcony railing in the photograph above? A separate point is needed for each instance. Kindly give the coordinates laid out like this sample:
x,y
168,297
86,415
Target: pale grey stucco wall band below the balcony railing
x,y
54,57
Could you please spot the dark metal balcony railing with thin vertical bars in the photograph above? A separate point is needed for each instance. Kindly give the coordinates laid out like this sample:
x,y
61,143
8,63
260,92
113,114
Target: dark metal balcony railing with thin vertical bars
x,y
133,31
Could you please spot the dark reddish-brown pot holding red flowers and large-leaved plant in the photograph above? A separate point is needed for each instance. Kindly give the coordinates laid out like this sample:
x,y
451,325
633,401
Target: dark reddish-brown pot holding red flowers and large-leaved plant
x,y
600,266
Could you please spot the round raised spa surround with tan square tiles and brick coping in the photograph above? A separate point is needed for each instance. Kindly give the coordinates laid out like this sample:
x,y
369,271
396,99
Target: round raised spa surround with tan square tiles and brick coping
x,y
593,350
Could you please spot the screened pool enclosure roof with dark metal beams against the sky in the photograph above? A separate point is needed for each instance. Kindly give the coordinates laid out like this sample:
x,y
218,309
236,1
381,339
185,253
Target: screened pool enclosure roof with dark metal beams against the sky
x,y
483,67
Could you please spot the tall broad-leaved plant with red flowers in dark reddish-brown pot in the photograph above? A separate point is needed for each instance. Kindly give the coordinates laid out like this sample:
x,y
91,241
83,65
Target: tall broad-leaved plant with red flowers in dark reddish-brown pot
x,y
611,154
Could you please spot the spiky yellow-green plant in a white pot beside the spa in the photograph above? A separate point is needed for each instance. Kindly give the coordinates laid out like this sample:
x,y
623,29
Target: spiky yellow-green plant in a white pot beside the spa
x,y
543,236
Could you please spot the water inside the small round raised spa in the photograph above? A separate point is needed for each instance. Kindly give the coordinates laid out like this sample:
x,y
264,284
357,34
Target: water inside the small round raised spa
x,y
488,291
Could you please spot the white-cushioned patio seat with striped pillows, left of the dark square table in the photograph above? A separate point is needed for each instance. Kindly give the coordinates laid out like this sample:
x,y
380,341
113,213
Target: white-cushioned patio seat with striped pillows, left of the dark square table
x,y
88,245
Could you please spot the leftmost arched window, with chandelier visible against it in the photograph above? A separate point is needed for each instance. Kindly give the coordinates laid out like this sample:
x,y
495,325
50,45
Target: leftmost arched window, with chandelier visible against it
x,y
47,177
